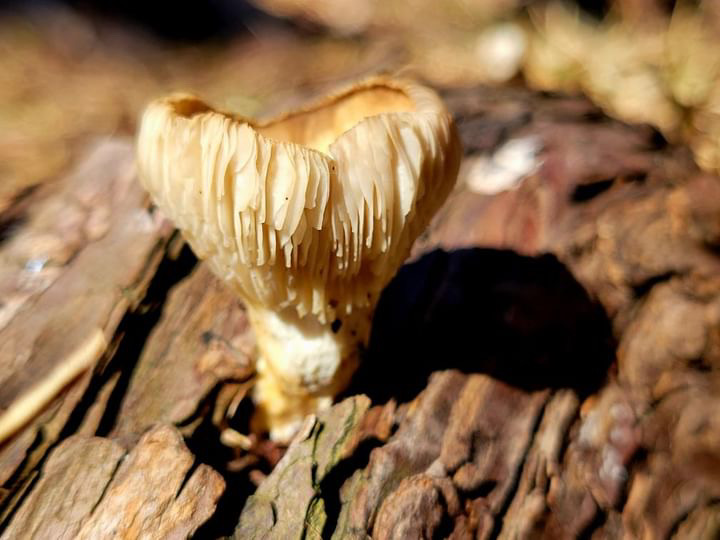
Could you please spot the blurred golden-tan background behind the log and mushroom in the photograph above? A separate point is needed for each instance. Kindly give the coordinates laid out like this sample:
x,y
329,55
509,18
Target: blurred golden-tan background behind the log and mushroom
x,y
78,69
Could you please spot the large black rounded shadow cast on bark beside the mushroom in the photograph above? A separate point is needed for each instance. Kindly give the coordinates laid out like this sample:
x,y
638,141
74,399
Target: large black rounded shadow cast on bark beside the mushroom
x,y
523,320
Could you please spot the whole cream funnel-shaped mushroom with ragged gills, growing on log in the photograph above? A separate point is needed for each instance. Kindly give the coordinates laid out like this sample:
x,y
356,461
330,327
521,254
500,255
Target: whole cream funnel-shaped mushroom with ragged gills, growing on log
x,y
306,216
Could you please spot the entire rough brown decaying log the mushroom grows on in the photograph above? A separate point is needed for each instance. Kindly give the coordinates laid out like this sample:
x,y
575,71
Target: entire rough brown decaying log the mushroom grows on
x,y
545,365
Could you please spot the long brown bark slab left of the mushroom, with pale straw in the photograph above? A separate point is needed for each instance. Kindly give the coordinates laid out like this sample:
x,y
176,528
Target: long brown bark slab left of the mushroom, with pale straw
x,y
81,256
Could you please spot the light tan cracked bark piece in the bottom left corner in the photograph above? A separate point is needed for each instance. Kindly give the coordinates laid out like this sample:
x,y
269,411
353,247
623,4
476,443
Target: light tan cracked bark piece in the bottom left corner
x,y
92,488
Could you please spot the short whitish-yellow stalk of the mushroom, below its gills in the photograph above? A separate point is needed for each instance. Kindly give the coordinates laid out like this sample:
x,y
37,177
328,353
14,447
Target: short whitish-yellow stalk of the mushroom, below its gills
x,y
302,364
